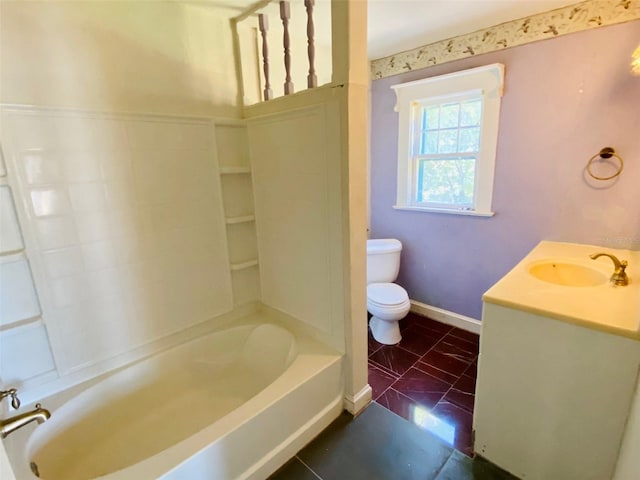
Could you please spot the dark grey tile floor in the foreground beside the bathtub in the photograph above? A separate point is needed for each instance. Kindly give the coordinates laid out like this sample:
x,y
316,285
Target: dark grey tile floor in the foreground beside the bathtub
x,y
379,445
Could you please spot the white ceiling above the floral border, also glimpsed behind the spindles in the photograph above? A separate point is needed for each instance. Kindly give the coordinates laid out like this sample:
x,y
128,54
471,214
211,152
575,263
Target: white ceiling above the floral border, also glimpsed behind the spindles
x,y
398,25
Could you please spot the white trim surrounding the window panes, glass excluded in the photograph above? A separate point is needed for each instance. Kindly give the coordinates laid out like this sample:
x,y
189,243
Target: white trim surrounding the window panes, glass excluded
x,y
489,80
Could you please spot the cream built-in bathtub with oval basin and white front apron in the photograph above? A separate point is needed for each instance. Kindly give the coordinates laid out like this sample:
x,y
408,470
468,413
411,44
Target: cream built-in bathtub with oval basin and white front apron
x,y
234,404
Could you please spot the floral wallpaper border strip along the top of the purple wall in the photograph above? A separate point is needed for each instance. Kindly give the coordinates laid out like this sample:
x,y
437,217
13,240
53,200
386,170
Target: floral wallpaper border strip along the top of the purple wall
x,y
574,18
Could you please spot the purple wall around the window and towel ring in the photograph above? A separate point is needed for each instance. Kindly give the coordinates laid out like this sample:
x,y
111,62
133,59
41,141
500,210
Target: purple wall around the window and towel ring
x,y
564,100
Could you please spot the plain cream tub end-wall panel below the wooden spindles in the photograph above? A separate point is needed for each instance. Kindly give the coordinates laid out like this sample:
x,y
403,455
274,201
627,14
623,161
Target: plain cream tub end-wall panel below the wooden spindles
x,y
299,212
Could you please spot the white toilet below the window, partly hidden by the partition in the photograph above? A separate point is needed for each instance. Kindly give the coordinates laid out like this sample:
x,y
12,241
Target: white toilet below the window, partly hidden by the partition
x,y
386,301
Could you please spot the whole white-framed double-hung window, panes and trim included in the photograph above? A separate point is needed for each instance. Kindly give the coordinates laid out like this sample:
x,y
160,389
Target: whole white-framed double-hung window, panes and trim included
x,y
448,131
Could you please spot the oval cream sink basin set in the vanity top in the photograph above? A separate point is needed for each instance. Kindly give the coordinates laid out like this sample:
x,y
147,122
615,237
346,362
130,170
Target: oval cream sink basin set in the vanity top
x,y
568,274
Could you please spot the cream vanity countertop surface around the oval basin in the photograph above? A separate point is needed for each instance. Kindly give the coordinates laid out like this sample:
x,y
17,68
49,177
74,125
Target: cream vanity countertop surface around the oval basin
x,y
606,307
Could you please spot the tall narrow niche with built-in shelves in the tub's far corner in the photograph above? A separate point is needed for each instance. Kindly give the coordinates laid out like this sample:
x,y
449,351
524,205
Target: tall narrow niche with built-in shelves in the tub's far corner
x,y
237,193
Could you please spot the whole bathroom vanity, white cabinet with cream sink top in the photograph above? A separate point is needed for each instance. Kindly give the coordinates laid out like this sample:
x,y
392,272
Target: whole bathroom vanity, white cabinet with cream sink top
x,y
558,365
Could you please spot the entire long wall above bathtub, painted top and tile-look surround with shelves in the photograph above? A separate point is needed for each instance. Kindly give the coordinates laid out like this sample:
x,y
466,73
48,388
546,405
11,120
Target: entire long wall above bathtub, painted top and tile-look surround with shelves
x,y
123,222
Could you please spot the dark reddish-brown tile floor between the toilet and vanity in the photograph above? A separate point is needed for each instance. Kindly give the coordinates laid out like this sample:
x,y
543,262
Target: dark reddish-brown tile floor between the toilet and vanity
x,y
429,378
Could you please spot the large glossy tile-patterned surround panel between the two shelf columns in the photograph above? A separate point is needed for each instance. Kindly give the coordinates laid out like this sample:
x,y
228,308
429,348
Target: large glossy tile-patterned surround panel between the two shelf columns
x,y
127,225
